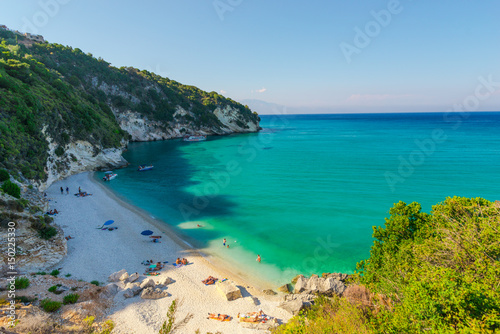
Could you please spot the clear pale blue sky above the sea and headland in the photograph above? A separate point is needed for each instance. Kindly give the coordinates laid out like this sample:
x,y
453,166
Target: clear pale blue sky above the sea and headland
x,y
338,56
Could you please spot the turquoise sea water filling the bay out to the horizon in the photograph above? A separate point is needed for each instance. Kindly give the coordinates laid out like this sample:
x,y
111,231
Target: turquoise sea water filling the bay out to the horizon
x,y
305,192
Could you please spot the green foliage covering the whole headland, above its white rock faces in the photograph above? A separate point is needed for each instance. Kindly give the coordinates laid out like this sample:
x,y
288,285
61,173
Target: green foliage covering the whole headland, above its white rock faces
x,y
50,90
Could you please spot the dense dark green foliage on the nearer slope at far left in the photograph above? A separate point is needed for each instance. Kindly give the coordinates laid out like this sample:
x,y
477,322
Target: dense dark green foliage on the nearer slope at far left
x,y
36,101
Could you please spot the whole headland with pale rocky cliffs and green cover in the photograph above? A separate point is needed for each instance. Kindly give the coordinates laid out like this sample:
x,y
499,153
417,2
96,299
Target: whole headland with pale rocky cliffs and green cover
x,y
63,111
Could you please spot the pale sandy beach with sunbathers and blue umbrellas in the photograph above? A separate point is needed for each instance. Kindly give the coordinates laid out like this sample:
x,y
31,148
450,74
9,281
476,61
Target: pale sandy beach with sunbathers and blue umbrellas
x,y
94,254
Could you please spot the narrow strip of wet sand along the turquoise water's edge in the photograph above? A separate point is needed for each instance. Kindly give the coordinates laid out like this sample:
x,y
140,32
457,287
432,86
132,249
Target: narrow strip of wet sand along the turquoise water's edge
x,y
211,260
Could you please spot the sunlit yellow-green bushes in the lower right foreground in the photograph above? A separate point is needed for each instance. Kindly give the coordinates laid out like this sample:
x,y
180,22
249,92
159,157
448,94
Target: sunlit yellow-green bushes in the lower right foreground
x,y
437,273
